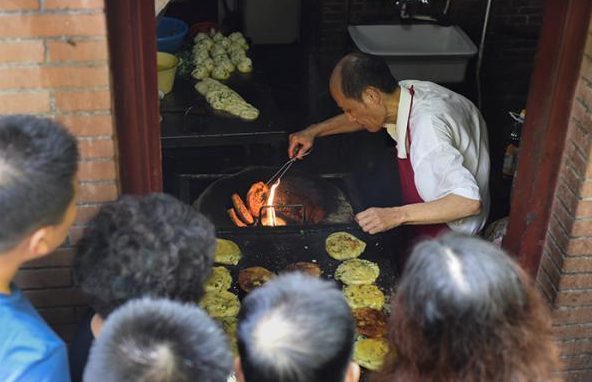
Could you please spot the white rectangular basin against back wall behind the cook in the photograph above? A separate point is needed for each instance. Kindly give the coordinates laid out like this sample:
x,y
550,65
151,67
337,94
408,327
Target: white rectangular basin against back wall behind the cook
x,y
418,51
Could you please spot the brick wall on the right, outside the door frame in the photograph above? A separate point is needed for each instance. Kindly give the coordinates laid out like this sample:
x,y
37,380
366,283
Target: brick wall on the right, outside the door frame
x,y
565,276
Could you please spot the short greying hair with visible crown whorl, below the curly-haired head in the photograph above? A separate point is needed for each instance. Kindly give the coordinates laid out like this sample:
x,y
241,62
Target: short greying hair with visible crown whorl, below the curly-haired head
x,y
158,340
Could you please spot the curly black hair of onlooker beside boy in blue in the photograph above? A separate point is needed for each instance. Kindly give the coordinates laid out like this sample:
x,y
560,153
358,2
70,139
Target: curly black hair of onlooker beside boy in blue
x,y
154,245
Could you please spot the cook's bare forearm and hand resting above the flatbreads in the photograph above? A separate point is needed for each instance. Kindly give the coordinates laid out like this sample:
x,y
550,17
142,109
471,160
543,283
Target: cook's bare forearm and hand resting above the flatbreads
x,y
446,209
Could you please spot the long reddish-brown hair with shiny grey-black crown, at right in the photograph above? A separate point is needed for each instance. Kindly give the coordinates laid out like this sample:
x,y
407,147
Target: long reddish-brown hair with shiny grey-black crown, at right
x,y
465,311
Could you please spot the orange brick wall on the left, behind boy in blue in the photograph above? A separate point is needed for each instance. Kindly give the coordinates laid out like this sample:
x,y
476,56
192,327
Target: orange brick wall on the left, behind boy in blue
x,y
54,63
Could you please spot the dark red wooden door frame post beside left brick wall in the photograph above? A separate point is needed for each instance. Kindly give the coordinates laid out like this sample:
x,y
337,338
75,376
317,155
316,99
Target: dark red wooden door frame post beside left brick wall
x,y
131,32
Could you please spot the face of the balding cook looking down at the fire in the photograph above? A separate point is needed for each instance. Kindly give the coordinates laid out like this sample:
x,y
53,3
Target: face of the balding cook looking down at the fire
x,y
368,113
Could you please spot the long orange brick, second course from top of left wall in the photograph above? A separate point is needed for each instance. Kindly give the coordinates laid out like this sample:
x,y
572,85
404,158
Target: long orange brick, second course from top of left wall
x,y
46,25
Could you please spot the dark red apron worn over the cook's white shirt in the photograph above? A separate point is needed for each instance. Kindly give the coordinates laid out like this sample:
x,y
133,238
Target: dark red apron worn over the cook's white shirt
x,y
409,192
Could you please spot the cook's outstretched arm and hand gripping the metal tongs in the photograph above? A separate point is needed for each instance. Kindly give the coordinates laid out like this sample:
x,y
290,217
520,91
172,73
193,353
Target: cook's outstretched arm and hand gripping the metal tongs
x,y
304,139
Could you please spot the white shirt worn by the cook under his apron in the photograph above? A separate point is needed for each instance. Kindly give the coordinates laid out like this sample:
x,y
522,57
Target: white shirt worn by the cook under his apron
x,y
449,147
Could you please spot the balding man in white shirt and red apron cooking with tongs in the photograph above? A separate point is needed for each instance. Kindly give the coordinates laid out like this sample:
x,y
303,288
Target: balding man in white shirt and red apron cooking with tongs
x,y
442,148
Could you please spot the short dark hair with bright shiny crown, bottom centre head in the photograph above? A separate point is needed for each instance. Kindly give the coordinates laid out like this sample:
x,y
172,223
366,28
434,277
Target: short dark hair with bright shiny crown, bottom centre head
x,y
295,328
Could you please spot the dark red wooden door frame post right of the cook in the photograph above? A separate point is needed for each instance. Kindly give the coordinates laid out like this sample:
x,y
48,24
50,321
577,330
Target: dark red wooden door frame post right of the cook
x,y
552,88
